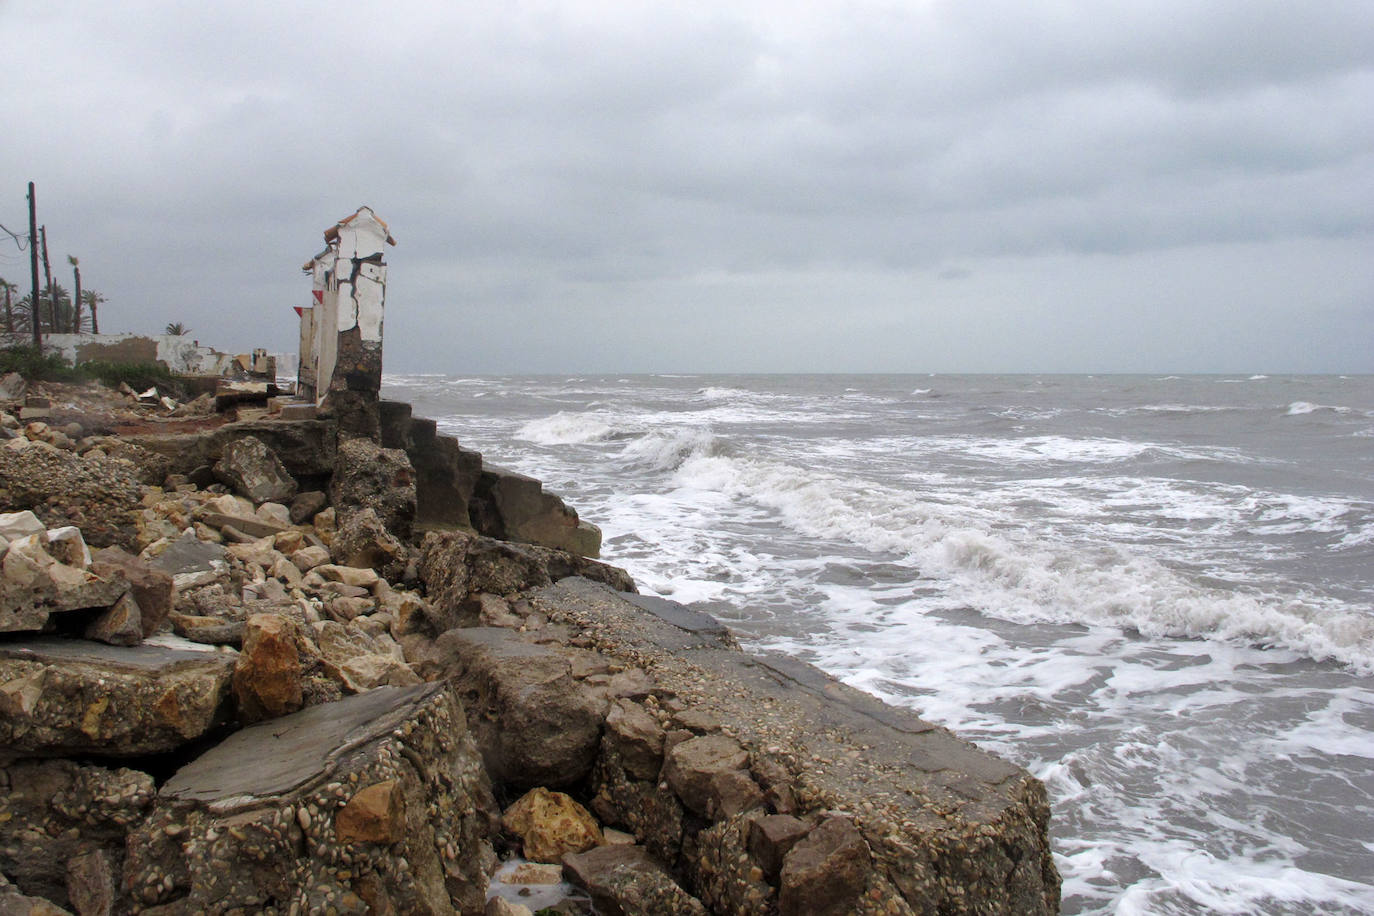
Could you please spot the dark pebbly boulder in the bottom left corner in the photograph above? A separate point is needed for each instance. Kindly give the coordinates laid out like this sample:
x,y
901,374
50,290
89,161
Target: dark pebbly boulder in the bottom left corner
x,y
64,827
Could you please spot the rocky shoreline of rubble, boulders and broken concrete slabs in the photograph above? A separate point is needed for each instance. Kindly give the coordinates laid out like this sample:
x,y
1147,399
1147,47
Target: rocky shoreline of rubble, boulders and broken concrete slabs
x,y
274,661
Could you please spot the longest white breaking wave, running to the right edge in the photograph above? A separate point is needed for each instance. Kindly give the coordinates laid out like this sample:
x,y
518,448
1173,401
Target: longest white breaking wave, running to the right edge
x,y
1026,576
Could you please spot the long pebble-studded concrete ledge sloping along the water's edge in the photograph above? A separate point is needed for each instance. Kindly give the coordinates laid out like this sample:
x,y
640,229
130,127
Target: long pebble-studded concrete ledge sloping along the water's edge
x,y
947,827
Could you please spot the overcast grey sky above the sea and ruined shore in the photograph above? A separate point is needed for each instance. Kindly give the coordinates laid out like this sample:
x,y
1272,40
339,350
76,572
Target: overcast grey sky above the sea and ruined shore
x,y
583,187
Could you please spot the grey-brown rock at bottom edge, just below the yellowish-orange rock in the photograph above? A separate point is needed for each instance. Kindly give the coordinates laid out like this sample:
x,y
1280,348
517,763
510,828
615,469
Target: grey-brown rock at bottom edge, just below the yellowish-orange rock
x,y
623,881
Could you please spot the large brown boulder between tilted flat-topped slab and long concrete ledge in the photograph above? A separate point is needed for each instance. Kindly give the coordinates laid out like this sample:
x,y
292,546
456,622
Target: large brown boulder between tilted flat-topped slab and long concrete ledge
x,y
534,723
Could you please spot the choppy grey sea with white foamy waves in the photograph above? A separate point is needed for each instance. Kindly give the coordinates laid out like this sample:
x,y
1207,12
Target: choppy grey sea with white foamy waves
x,y
1153,593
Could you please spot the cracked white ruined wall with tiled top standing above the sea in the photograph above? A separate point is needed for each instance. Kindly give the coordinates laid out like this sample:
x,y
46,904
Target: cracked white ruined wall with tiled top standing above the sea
x,y
341,332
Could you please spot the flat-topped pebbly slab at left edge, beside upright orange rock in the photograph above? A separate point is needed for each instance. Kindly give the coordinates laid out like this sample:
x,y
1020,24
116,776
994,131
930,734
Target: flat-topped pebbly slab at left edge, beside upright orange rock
x,y
68,698
